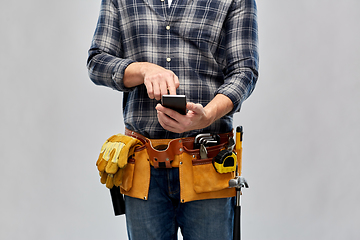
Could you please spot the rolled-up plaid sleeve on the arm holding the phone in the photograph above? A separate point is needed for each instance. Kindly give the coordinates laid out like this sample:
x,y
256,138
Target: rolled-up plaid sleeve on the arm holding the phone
x,y
242,59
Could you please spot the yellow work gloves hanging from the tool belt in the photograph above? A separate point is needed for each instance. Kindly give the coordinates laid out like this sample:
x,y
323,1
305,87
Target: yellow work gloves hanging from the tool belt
x,y
114,156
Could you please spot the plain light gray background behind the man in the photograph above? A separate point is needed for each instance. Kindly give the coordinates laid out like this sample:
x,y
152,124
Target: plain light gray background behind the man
x,y
301,146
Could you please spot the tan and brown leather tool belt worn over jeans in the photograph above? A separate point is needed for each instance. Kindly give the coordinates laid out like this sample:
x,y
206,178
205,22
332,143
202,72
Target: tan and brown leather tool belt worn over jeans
x,y
197,175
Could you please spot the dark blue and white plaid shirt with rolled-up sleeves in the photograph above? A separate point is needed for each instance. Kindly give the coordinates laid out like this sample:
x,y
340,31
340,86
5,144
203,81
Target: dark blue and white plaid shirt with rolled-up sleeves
x,y
211,45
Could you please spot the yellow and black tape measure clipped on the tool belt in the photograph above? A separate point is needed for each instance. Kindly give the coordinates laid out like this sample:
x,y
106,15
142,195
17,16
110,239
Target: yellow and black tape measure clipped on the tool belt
x,y
225,161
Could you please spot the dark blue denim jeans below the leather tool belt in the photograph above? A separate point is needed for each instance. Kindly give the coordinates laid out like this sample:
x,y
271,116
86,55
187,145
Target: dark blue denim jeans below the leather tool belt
x,y
162,214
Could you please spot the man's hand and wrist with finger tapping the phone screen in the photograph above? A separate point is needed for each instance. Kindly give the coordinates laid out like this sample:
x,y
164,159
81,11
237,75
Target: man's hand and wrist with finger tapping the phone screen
x,y
157,80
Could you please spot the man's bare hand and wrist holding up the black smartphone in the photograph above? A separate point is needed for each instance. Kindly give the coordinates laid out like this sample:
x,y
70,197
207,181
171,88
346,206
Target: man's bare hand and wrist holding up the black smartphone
x,y
197,117
